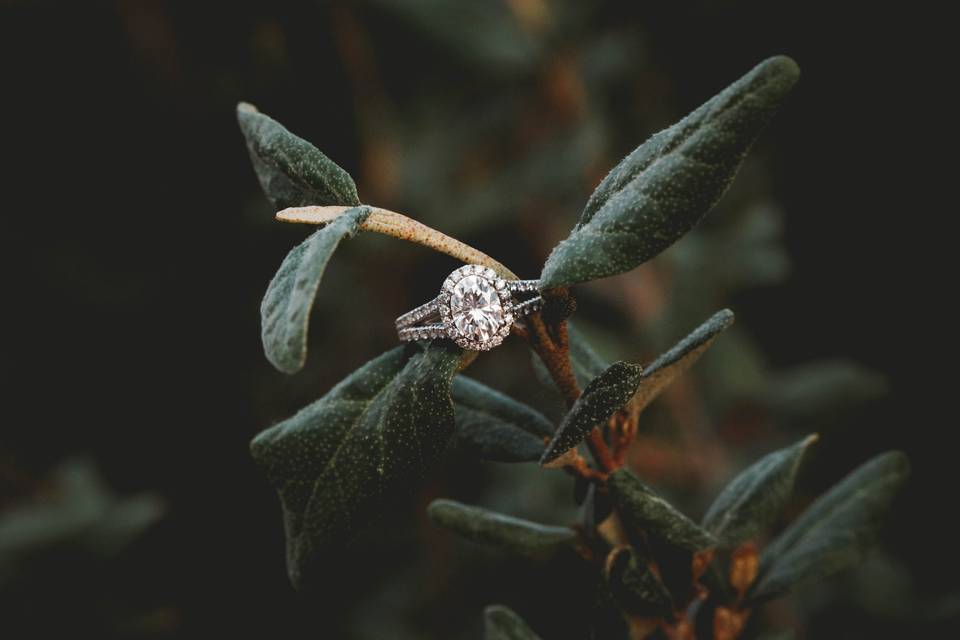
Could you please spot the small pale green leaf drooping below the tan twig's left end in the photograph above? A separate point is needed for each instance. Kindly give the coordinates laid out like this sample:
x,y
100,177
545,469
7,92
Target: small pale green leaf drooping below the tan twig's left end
x,y
285,310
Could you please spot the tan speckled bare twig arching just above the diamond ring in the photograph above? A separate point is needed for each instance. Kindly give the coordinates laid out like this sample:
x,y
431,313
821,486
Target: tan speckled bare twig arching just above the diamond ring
x,y
397,225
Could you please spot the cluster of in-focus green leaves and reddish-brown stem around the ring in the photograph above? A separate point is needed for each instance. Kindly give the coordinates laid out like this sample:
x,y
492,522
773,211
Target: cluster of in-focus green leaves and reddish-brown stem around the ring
x,y
337,462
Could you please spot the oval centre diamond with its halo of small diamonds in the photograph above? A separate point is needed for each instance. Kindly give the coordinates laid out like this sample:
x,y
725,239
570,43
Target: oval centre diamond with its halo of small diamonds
x,y
476,307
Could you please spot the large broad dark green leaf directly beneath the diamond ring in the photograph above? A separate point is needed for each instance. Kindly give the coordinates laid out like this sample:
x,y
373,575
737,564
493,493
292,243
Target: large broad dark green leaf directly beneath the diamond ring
x,y
339,460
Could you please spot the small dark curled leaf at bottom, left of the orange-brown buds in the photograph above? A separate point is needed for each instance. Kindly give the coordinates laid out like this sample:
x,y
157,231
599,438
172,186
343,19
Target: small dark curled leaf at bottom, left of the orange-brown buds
x,y
635,587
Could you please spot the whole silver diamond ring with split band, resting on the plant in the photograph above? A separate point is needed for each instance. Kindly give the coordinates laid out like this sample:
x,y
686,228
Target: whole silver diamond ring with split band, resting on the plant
x,y
475,309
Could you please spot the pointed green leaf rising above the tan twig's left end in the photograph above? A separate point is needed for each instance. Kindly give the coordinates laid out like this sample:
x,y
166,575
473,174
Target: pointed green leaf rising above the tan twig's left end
x,y
292,172
